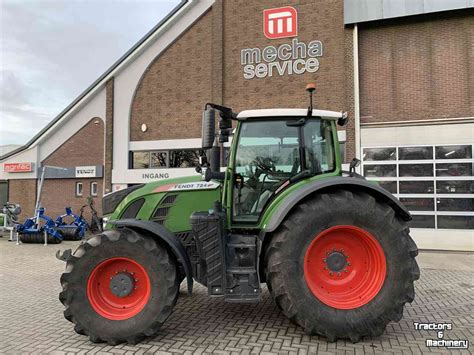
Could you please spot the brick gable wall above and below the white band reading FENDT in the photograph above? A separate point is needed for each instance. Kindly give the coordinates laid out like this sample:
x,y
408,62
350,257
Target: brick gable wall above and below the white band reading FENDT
x,y
82,149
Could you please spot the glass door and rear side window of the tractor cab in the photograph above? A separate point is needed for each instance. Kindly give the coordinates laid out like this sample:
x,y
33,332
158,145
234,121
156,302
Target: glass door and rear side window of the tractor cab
x,y
269,153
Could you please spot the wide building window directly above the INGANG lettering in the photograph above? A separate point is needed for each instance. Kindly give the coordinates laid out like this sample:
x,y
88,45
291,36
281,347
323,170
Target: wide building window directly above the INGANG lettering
x,y
178,158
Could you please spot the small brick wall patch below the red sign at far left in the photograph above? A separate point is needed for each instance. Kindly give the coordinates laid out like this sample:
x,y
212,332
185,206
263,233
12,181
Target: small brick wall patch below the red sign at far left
x,y
23,191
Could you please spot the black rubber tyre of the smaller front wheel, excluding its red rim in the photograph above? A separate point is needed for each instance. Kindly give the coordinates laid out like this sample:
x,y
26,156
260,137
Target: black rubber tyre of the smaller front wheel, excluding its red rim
x,y
162,271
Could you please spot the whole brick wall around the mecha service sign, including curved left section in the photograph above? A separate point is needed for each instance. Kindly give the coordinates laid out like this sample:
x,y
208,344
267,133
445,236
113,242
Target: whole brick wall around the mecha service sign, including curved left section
x,y
205,63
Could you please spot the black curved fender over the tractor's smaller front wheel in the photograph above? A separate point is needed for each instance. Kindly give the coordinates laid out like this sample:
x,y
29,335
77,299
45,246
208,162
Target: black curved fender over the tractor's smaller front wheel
x,y
162,234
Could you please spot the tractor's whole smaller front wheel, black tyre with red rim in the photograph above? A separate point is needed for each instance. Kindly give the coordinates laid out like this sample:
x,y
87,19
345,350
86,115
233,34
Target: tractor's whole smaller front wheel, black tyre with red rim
x,y
119,286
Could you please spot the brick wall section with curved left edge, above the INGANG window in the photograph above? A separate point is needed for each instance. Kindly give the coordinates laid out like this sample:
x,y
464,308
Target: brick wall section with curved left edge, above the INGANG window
x,y
173,90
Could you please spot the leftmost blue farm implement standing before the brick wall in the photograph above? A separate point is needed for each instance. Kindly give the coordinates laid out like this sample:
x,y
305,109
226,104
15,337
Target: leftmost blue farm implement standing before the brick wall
x,y
39,229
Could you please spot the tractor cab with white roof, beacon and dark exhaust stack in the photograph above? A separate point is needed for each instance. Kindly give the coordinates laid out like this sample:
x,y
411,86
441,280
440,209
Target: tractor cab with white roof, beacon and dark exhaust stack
x,y
272,149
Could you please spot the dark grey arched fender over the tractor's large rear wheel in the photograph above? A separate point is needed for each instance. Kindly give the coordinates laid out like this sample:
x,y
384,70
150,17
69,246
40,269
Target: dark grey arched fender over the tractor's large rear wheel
x,y
347,183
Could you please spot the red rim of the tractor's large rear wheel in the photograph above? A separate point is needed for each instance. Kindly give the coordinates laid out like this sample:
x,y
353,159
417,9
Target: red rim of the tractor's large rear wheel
x,y
345,267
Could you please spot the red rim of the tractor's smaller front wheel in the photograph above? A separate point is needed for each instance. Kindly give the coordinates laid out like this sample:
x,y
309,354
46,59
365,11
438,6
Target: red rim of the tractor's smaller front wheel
x,y
107,275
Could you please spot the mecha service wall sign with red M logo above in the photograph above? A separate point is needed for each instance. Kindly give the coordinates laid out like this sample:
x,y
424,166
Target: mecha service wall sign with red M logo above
x,y
286,59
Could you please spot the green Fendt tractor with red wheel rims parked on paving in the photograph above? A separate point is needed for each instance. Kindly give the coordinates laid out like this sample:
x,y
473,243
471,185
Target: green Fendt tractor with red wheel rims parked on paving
x,y
333,248
